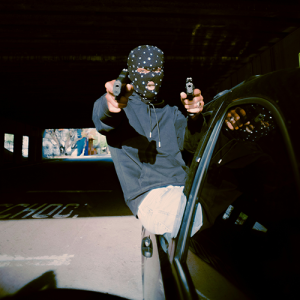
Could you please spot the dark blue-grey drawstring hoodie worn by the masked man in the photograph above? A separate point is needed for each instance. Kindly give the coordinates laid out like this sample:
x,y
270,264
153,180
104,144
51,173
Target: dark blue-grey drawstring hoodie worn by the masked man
x,y
145,144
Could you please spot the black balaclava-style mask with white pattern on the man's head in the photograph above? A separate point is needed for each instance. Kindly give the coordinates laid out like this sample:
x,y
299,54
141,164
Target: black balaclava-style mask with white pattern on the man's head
x,y
150,58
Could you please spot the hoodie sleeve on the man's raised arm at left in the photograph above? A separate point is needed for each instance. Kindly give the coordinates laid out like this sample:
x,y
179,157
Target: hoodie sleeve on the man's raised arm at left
x,y
104,120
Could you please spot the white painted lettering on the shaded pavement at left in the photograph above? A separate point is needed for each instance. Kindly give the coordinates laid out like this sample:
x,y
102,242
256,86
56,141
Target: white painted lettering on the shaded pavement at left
x,y
39,211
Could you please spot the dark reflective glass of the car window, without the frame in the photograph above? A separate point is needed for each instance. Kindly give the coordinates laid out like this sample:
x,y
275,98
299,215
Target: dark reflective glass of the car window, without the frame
x,y
250,207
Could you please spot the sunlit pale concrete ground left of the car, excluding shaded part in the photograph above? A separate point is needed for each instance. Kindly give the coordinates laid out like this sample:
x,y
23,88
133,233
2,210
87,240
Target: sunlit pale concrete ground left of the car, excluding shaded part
x,y
96,254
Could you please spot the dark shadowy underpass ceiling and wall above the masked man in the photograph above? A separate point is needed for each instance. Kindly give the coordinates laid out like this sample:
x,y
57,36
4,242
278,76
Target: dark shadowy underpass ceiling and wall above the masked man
x,y
56,56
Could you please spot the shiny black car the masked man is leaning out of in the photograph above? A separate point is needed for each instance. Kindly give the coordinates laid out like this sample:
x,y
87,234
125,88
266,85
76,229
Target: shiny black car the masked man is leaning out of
x,y
248,184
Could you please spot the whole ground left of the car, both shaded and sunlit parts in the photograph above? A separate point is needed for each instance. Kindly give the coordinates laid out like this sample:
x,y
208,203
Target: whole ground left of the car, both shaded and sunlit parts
x,y
64,224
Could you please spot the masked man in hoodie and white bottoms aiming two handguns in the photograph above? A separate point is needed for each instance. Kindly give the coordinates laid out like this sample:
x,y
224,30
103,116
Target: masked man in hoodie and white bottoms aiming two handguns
x,y
146,138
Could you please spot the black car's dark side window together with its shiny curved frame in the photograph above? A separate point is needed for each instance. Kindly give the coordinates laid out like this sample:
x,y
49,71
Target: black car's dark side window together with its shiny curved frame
x,y
248,186
